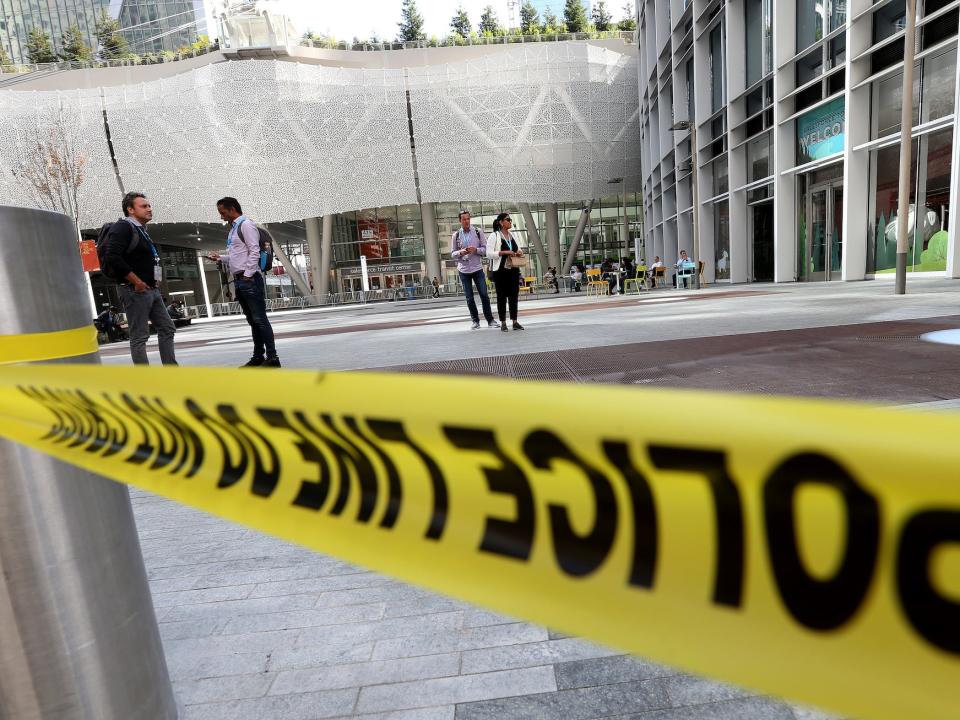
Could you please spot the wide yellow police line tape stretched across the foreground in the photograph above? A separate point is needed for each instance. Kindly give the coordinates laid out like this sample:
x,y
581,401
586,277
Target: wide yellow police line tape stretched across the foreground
x,y
807,549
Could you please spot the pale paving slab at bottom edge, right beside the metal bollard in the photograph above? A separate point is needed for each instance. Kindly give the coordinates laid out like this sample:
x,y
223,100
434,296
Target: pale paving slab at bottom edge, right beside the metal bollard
x,y
306,706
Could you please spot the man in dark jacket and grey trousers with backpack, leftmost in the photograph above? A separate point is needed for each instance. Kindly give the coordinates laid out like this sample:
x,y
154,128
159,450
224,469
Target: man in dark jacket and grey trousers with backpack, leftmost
x,y
139,274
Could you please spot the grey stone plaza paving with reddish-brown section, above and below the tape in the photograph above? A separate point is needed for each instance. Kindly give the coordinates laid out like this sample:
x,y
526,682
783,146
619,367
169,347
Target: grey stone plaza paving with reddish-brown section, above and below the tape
x,y
257,628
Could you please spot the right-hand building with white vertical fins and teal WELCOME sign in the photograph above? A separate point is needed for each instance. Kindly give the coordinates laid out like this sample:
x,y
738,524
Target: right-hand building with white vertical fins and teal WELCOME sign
x,y
797,112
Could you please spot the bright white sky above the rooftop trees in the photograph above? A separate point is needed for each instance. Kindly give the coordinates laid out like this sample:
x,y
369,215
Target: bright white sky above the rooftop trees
x,y
345,19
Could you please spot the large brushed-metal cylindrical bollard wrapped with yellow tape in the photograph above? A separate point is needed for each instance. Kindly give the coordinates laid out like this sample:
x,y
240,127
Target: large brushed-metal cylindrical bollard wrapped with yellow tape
x,y
78,633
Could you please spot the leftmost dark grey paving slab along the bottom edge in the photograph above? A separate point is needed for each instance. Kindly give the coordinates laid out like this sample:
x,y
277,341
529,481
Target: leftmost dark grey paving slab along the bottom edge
x,y
579,704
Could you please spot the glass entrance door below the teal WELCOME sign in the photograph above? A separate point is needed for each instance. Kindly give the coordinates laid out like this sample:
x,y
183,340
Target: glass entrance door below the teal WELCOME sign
x,y
822,243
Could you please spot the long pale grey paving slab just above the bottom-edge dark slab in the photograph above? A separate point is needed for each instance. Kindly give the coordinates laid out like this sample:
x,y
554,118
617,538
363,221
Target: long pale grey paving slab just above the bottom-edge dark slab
x,y
462,689
